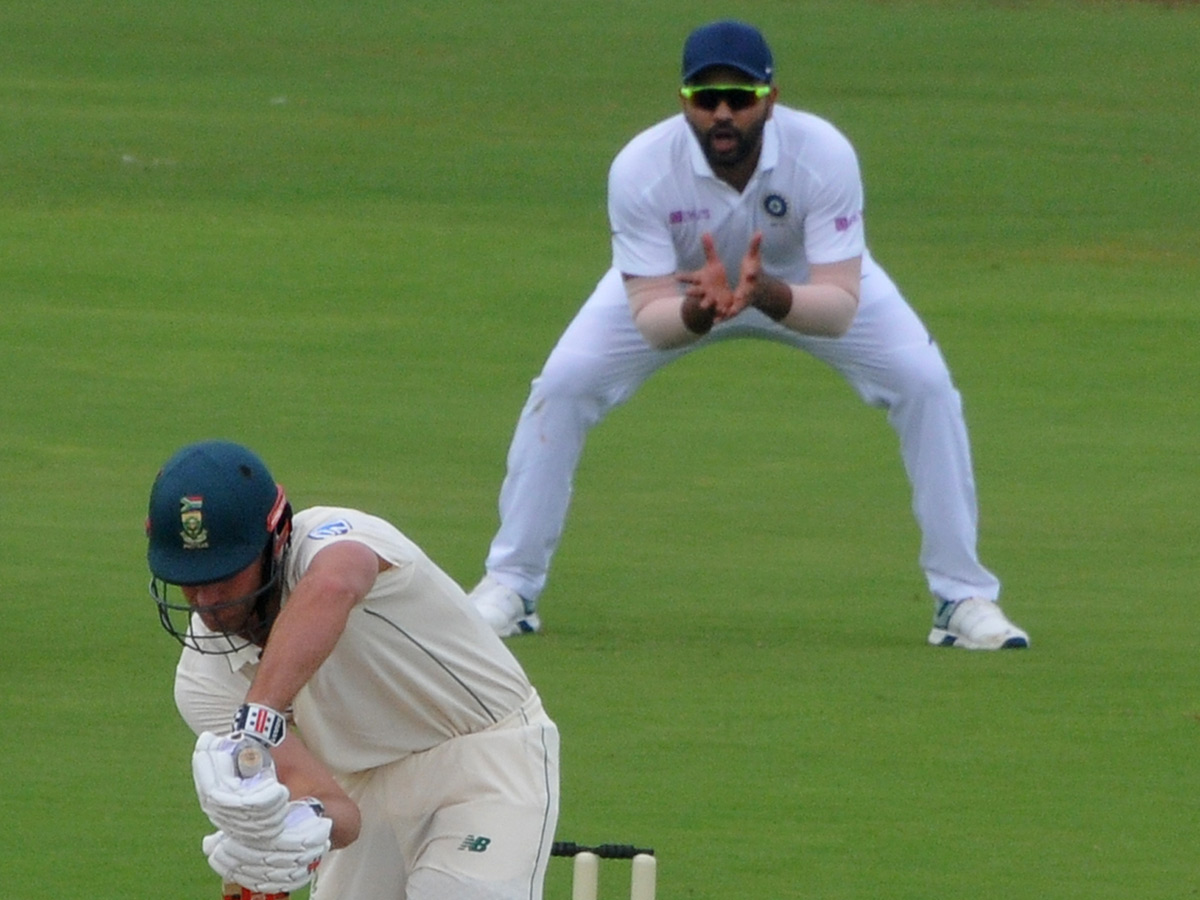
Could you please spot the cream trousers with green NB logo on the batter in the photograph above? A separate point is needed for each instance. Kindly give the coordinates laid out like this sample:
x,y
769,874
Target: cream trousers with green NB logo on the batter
x,y
472,819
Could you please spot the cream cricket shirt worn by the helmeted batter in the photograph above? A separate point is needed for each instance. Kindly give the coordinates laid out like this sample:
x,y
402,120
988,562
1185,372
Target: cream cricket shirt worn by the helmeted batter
x,y
415,668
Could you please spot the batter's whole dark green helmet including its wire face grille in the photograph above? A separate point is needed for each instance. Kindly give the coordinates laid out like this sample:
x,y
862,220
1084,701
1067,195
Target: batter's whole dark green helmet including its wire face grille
x,y
214,511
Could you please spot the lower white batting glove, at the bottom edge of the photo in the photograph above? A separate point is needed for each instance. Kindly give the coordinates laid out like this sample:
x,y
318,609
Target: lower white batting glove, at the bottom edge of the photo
x,y
289,865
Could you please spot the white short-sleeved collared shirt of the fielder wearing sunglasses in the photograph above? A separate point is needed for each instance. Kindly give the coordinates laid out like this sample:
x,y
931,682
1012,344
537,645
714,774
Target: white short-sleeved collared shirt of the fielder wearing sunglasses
x,y
806,196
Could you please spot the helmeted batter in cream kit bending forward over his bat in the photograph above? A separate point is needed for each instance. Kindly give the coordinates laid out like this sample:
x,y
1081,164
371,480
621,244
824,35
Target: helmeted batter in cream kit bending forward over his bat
x,y
412,757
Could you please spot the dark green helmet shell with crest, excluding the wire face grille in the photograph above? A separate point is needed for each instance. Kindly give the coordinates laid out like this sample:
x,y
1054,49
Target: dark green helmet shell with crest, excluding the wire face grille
x,y
212,512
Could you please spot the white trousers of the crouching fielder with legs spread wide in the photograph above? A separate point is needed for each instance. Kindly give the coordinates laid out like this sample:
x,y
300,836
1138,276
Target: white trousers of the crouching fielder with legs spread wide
x,y
602,359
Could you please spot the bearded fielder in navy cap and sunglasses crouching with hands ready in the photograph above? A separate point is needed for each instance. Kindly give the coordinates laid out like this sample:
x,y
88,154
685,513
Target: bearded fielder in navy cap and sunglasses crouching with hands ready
x,y
740,218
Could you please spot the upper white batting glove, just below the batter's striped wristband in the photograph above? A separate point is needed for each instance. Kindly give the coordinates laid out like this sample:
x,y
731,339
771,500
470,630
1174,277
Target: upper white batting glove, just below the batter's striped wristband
x,y
251,811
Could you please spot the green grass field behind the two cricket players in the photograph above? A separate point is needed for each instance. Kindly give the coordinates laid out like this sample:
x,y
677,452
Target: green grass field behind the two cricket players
x,y
347,235
